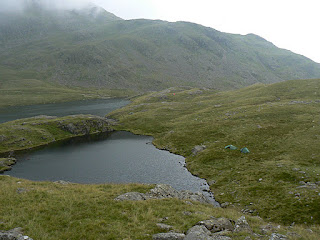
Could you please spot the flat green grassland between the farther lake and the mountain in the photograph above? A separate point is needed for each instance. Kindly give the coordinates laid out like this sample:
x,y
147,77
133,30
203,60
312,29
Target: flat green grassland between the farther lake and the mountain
x,y
27,88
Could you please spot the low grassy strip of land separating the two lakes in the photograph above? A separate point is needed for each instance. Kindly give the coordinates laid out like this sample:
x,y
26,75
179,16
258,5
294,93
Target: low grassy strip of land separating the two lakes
x,y
37,131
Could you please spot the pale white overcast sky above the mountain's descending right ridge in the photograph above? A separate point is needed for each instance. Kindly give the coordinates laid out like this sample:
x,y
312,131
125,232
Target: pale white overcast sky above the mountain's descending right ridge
x,y
289,24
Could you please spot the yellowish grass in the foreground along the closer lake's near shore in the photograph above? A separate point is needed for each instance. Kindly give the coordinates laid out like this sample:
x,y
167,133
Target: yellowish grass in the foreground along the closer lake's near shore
x,y
49,210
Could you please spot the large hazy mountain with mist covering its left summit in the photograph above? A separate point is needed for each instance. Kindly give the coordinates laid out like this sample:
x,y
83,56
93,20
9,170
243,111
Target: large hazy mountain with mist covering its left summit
x,y
90,47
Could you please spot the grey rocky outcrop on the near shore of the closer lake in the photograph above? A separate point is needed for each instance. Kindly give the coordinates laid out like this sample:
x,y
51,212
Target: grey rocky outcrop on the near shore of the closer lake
x,y
162,191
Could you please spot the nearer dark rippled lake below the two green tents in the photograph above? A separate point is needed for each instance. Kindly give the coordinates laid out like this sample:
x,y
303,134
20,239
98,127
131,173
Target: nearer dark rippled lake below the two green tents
x,y
119,157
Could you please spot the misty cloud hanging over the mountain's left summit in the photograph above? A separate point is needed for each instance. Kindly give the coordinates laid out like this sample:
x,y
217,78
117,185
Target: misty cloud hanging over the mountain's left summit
x,y
19,5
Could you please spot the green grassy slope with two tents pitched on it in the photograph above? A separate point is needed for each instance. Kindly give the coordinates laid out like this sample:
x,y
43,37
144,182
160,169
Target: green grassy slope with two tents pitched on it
x,y
278,123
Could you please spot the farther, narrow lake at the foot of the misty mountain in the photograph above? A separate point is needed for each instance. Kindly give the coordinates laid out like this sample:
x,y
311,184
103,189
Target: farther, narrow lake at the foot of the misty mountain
x,y
96,107
